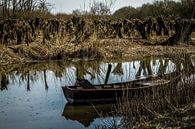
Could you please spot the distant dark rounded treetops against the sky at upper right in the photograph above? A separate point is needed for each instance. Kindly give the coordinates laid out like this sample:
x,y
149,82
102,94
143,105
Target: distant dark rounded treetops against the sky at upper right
x,y
166,8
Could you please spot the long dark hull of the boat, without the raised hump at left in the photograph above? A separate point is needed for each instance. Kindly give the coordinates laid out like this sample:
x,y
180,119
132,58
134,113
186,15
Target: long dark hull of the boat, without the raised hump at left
x,y
130,90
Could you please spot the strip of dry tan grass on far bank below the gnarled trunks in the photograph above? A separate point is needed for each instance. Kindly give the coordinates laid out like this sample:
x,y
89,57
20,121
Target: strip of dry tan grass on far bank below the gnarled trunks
x,y
126,49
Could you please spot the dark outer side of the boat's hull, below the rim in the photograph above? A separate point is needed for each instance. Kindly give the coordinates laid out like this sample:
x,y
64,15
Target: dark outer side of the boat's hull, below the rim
x,y
107,96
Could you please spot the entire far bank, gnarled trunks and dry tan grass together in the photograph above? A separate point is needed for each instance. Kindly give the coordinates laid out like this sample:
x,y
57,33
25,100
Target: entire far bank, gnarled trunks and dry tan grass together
x,y
92,37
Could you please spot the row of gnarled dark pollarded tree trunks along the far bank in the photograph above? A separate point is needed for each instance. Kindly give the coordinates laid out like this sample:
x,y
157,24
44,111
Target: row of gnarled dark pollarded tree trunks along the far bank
x,y
79,29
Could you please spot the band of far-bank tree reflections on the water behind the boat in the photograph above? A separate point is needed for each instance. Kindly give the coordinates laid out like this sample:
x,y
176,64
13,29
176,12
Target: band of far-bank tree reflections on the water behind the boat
x,y
94,71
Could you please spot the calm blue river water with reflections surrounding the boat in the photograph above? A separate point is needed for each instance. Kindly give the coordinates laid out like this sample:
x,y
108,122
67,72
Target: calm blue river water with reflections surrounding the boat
x,y
31,96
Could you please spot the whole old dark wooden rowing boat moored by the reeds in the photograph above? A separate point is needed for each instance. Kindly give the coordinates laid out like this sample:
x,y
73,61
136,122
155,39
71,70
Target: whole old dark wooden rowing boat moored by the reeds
x,y
85,92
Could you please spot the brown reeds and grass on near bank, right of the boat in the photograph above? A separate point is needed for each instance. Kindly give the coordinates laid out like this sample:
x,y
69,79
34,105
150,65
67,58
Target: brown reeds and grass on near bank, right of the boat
x,y
172,106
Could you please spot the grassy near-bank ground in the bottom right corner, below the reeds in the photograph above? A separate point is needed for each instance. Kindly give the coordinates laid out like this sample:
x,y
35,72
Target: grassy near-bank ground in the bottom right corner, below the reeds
x,y
179,118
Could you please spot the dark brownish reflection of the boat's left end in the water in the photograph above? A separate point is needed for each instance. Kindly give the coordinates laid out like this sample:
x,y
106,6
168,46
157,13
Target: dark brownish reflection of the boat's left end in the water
x,y
86,114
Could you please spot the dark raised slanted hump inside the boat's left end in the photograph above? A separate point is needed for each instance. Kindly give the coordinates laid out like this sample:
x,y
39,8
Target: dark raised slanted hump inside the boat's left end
x,y
84,83
